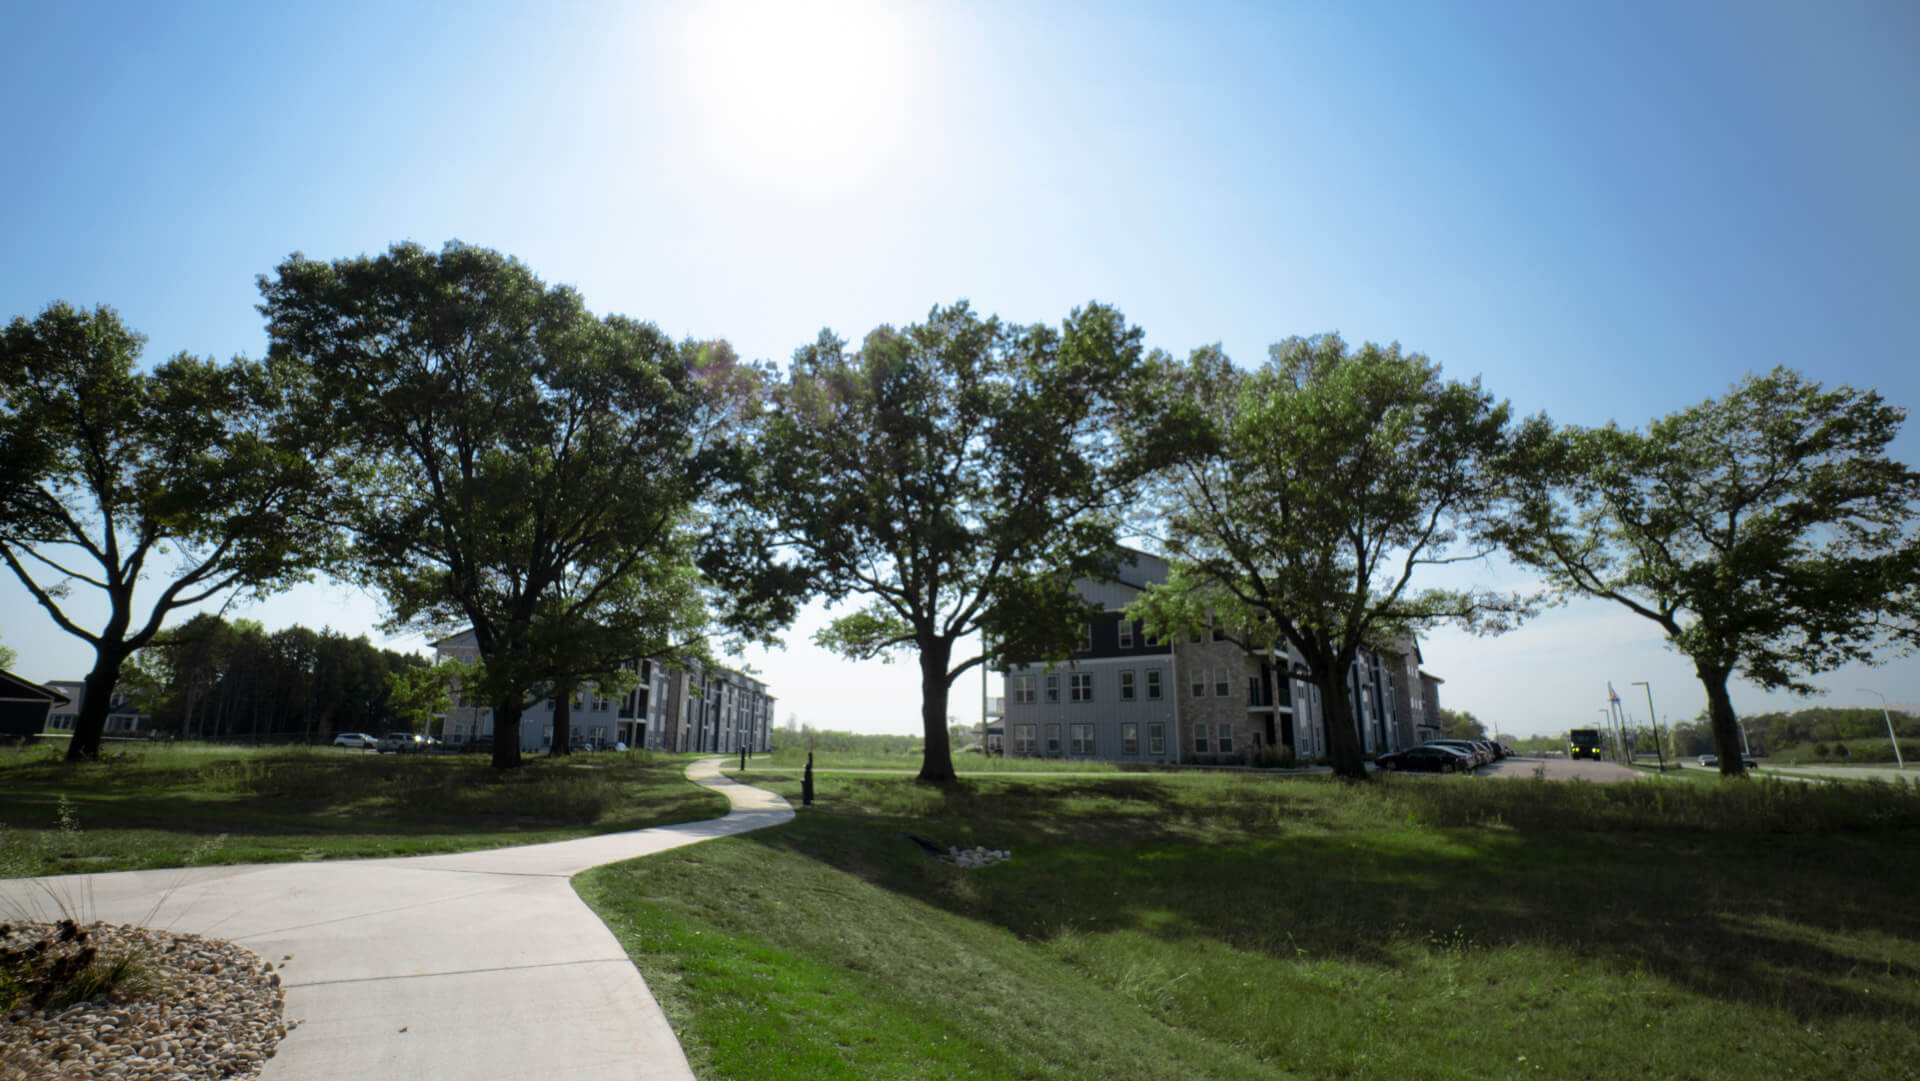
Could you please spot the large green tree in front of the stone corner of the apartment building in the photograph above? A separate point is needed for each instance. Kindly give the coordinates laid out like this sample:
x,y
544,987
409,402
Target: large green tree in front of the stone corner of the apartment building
x,y
1310,494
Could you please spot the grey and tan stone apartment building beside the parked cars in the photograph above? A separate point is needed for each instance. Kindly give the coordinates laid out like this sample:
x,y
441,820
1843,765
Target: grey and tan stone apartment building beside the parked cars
x,y
1124,698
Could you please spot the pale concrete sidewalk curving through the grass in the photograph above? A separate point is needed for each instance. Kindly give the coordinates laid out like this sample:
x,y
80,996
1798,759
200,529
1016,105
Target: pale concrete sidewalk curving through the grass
x,y
469,967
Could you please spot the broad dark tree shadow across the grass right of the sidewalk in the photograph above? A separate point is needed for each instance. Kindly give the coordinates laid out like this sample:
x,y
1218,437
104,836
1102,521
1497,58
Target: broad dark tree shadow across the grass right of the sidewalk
x,y
1714,900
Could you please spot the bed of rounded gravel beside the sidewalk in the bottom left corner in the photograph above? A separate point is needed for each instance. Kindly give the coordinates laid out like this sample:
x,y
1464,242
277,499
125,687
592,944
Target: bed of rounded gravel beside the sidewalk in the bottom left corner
x,y
189,1009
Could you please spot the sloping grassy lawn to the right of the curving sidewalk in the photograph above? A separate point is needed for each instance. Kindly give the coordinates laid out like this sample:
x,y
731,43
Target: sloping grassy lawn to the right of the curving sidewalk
x,y
1239,926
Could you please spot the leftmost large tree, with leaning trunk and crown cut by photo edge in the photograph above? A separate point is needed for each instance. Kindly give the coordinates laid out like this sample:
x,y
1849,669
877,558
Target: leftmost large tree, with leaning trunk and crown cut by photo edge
x,y
153,491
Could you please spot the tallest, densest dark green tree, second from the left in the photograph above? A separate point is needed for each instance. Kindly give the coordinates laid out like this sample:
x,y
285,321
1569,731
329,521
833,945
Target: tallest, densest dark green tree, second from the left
x,y
521,458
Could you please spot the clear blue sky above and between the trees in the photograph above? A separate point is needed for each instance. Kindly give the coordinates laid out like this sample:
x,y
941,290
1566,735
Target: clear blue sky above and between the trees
x,y
1604,214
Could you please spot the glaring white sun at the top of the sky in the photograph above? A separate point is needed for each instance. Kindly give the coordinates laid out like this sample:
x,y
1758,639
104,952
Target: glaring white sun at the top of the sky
x,y
794,91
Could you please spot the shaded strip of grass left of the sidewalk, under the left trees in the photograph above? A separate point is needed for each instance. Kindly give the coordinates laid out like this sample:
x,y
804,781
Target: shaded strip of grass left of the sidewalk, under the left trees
x,y
160,807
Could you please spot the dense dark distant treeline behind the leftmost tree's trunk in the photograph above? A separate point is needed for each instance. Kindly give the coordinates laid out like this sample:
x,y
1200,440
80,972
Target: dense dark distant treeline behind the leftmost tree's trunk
x,y
210,679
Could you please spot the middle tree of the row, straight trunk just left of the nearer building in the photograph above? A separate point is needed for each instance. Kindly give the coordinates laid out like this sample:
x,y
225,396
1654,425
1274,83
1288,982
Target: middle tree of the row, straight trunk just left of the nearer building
x,y
959,475
